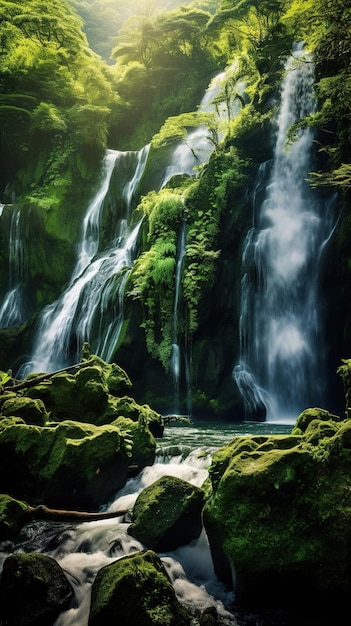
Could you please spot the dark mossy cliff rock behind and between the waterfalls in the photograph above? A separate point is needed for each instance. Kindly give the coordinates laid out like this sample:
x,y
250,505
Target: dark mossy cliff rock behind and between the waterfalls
x,y
221,214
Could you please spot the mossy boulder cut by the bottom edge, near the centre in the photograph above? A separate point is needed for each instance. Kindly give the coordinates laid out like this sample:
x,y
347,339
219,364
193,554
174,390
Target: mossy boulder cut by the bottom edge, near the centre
x,y
135,590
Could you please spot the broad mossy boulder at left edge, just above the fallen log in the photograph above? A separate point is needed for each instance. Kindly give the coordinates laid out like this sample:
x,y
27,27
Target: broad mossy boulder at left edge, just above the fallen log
x,y
67,465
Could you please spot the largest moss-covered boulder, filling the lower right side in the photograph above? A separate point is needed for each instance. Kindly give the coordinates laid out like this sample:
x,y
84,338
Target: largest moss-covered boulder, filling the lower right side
x,y
279,518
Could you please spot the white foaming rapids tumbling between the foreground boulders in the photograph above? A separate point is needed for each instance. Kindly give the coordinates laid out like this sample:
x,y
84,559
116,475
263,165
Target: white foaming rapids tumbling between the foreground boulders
x,y
83,549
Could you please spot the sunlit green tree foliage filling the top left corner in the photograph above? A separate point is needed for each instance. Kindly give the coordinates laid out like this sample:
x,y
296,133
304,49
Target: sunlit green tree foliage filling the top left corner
x,y
51,90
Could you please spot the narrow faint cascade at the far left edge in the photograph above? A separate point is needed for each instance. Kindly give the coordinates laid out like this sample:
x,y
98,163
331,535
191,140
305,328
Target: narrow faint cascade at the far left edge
x,y
12,308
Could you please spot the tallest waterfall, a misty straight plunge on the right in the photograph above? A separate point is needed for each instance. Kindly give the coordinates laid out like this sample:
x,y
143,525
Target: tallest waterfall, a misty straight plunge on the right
x,y
279,370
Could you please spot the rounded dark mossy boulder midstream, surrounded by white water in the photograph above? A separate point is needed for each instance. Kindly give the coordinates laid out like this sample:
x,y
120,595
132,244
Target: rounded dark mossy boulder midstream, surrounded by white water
x,y
167,514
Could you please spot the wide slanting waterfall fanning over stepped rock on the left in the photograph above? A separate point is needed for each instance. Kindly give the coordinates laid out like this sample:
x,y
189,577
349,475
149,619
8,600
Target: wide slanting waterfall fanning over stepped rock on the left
x,y
91,308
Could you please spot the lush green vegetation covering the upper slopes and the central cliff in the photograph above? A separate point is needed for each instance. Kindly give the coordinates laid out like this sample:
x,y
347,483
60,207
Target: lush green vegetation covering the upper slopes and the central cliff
x,y
62,104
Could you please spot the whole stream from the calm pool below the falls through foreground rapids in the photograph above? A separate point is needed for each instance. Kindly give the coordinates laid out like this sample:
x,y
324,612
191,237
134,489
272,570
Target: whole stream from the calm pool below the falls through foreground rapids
x,y
83,549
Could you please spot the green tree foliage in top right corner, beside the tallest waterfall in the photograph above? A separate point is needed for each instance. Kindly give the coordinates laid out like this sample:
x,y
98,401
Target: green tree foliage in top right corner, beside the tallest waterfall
x,y
326,28
